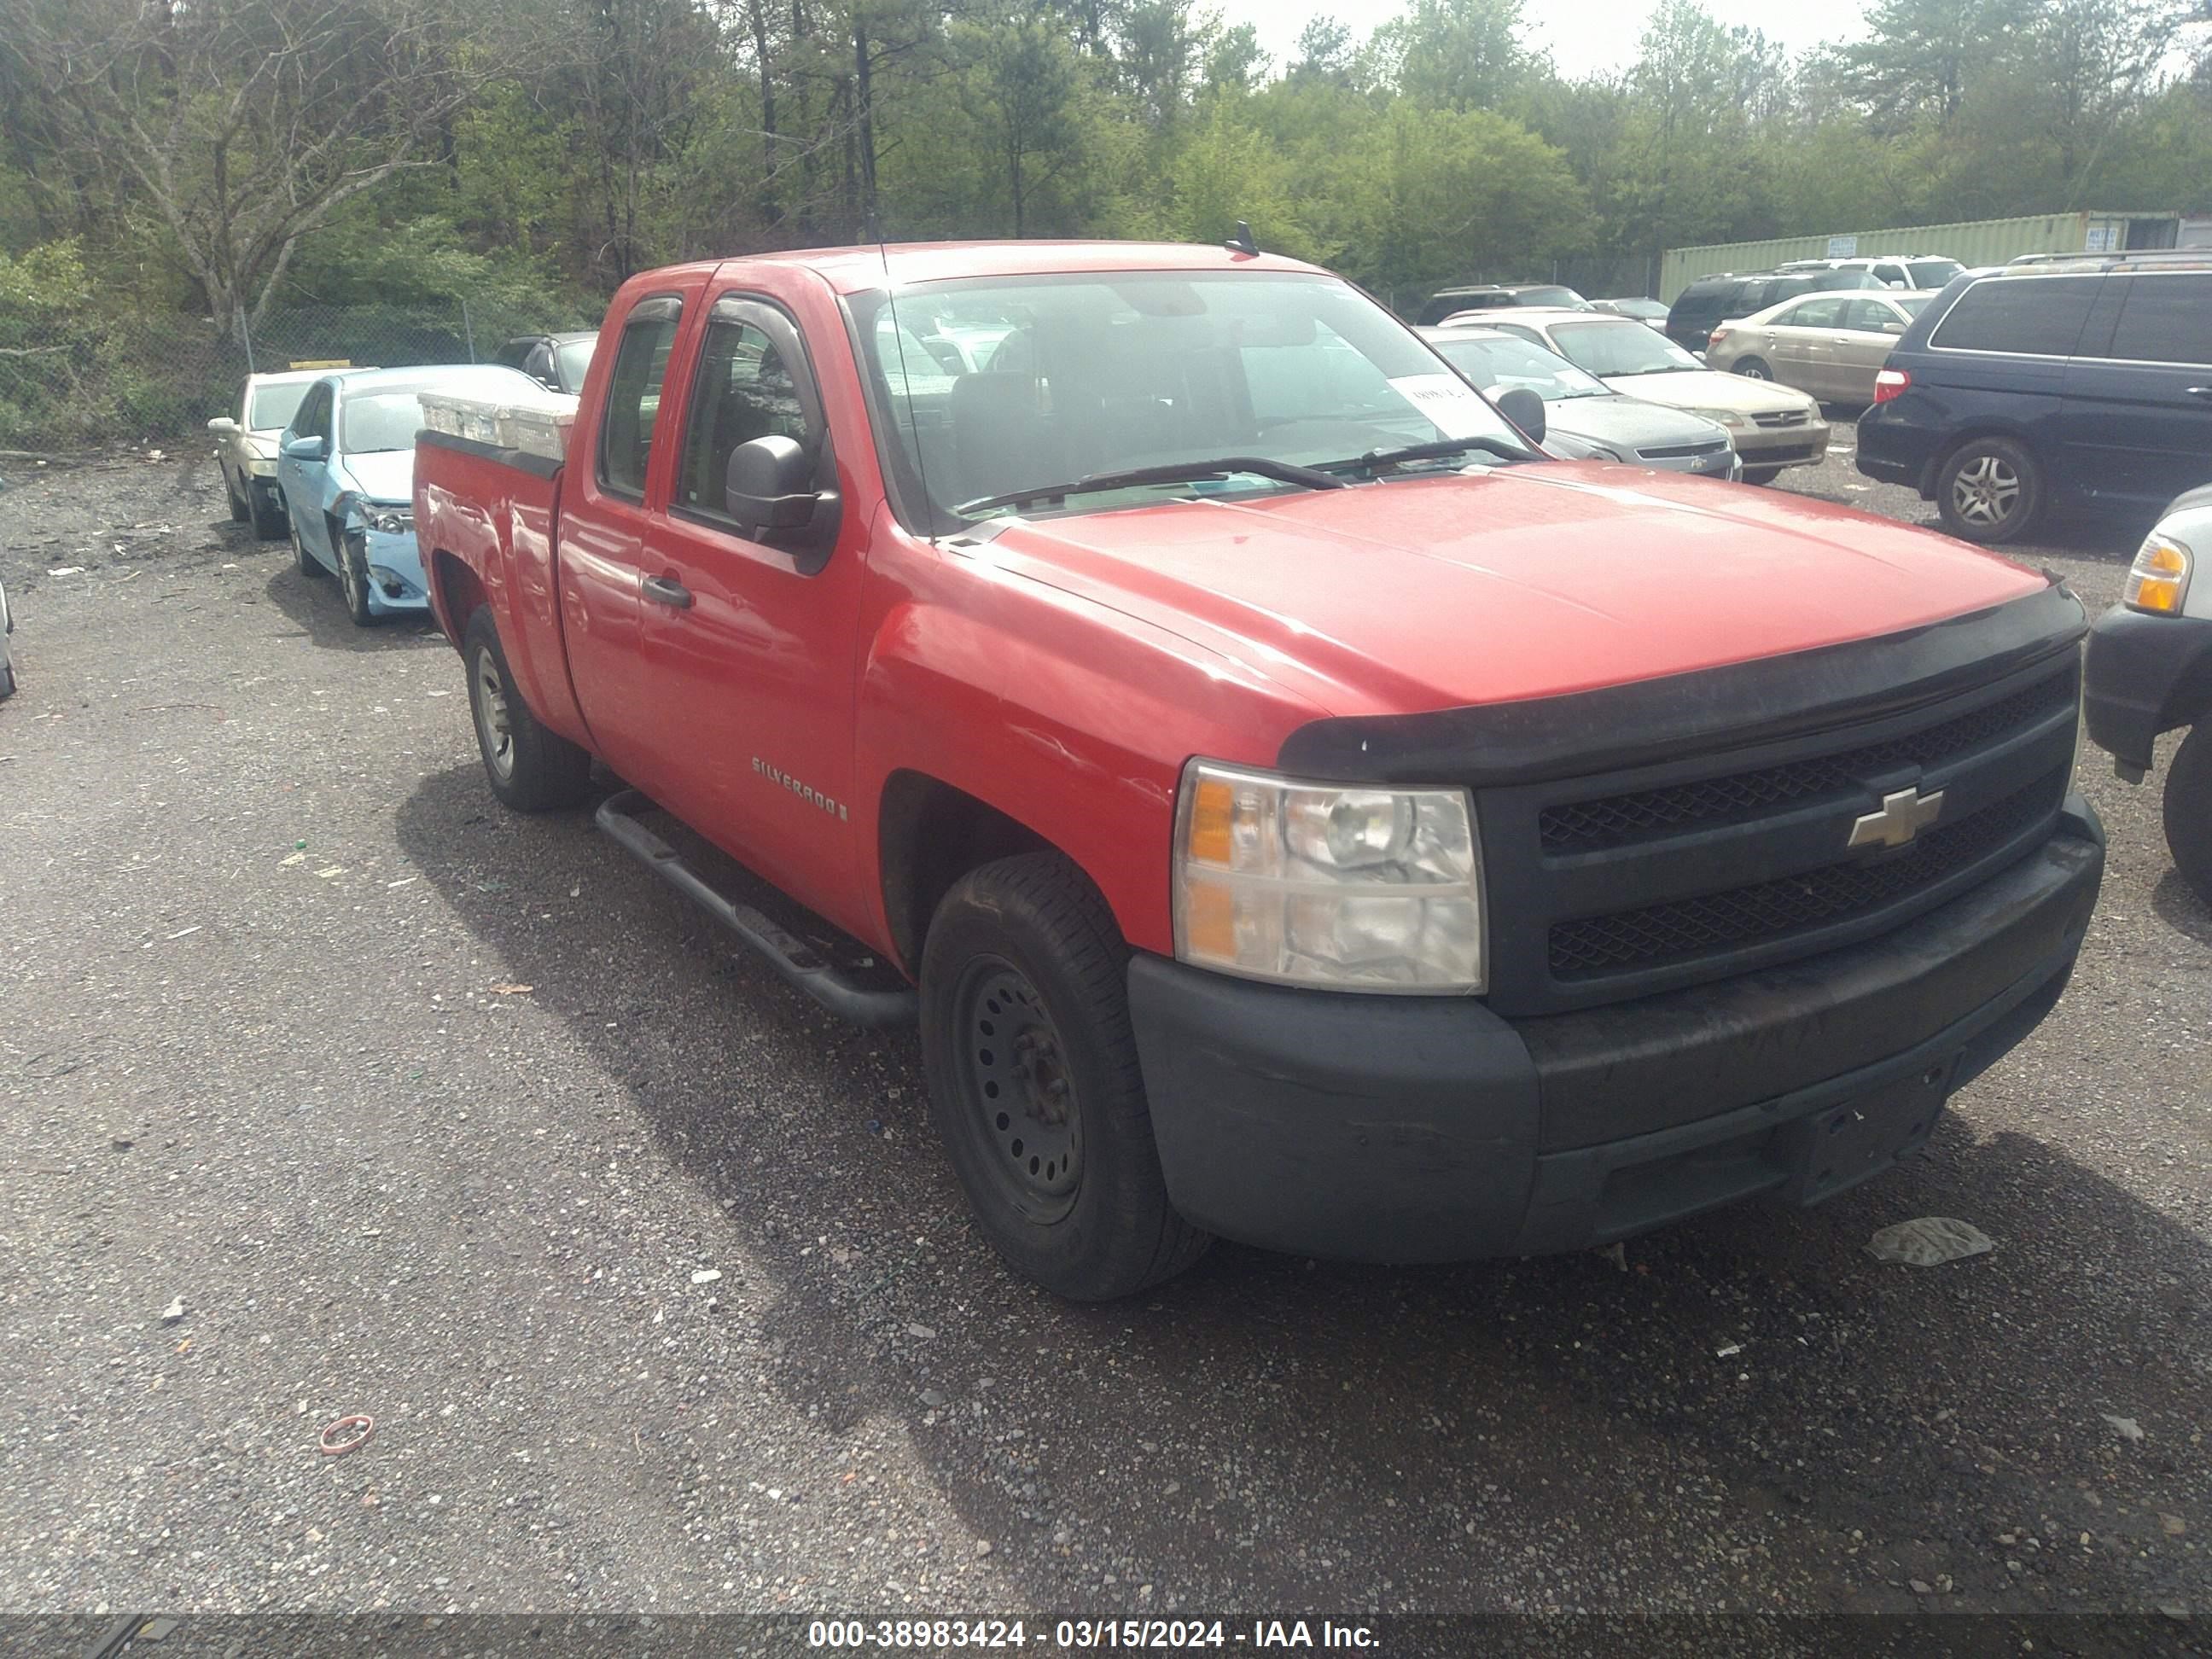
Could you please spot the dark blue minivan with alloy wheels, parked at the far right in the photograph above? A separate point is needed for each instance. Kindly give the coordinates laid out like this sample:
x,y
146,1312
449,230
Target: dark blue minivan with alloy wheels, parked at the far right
x,y
2052,386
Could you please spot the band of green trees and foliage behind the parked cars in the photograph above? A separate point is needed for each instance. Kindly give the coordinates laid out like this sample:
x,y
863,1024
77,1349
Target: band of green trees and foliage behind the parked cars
x,y
503,167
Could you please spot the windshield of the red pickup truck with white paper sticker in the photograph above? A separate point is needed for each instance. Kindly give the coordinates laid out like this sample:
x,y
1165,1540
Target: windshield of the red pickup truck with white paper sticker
x,y
1114,373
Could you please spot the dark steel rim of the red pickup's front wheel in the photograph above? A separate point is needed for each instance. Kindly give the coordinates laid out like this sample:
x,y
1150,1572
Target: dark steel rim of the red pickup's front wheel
x,y
1016,1089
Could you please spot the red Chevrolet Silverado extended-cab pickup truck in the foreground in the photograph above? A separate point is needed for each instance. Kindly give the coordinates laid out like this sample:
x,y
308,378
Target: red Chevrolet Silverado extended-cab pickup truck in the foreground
x,y
1293,806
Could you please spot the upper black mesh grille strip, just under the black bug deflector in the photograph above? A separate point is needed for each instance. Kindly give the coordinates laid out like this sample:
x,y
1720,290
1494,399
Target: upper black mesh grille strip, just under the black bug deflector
x,y
1587,826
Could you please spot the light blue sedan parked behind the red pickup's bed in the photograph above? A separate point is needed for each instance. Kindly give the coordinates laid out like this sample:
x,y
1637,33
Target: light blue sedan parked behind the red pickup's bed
x,y
346,472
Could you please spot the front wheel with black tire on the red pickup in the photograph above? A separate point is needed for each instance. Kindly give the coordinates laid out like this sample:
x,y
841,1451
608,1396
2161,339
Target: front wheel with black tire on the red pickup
x,y
1025,1034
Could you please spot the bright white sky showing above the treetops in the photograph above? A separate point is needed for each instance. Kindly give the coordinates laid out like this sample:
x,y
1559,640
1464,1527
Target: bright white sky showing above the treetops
x,y
1583,36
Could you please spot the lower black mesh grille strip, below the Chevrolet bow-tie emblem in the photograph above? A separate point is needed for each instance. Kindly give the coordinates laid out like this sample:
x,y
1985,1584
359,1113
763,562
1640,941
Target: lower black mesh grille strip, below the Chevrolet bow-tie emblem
x,y
1729,921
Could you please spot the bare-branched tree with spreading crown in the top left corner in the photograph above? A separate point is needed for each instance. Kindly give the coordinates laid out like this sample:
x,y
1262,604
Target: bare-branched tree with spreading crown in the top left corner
x,y
244,125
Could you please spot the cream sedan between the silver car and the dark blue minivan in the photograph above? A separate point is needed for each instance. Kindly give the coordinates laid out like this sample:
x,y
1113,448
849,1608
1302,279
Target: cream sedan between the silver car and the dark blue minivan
x,y
1771,426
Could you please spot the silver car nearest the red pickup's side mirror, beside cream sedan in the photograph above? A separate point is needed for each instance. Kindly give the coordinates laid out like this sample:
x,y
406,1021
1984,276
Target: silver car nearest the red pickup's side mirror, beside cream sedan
x,y
1578,406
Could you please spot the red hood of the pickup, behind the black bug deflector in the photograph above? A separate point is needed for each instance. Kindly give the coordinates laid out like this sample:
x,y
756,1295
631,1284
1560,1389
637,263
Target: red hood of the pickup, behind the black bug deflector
x,y
1496,587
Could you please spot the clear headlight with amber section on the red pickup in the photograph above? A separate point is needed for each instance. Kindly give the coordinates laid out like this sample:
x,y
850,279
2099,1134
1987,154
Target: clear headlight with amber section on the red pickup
x,y
1333,886
